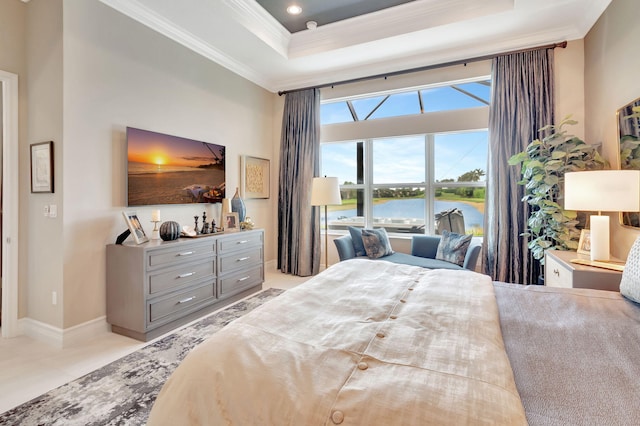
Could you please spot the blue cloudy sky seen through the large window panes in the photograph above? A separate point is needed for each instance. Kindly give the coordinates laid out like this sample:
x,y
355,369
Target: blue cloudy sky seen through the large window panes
x,y
401,159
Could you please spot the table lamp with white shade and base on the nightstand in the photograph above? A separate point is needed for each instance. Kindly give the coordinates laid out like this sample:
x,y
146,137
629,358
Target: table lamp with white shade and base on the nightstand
x,y
602,190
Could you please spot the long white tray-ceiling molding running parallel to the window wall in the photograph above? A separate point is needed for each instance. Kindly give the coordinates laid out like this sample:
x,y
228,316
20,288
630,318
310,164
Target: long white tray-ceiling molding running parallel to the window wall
x,y
396,21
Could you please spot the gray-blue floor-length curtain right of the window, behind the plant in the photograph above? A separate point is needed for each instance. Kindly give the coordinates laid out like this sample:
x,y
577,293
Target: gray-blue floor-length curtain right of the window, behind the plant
x,y
522,102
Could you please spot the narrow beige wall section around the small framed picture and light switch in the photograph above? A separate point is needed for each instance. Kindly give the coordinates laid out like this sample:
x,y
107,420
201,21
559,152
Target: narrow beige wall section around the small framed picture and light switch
x,y
41,269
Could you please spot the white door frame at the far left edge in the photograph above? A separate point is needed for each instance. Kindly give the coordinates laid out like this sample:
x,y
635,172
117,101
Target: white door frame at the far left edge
x,y
10,178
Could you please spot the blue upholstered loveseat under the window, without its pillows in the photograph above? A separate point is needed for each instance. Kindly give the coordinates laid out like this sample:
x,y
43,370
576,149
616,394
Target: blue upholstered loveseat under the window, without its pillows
x,y
423,253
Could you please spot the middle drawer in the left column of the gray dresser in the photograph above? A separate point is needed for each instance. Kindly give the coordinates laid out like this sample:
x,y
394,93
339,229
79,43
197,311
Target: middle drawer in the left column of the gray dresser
x,y
181,276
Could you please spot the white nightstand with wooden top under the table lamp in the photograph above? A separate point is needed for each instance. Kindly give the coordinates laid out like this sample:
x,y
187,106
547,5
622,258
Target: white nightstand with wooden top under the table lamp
x,y
560,272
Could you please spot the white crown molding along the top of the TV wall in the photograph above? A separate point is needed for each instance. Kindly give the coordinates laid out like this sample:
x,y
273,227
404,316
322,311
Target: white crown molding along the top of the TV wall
x,y
135,10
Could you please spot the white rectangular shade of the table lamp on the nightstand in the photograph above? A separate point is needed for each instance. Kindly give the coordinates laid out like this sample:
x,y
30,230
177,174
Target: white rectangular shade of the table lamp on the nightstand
x,y
602,190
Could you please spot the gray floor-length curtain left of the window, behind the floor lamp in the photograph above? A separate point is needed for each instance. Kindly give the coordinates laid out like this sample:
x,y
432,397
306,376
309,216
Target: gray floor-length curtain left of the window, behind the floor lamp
x,y
298,221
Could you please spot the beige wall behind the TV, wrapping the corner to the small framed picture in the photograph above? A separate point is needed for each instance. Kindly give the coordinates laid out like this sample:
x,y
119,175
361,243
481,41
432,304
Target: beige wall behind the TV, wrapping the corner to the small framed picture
x,y
91,73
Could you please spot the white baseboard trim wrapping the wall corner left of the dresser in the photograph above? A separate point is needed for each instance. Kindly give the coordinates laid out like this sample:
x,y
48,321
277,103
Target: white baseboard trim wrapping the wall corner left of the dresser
x,y
62,338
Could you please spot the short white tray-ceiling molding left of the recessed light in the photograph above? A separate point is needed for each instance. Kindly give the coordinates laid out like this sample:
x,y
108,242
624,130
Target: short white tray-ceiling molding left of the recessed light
x,y
254,18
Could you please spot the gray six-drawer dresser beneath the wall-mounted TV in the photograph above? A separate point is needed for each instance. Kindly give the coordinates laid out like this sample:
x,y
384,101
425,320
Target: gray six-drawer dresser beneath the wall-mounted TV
x,y
157,286
